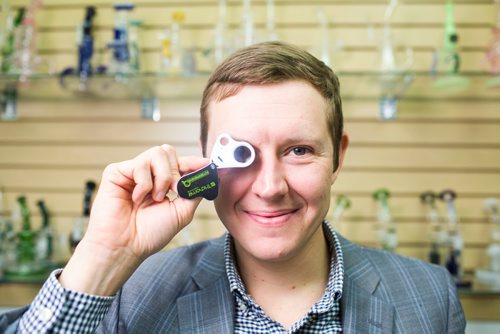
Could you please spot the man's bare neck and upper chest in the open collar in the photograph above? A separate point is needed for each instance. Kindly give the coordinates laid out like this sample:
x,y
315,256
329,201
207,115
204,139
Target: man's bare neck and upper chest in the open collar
x,y
298,280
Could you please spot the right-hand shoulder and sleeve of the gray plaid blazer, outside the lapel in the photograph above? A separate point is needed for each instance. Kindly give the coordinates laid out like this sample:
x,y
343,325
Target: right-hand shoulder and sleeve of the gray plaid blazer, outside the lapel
x,y
424,295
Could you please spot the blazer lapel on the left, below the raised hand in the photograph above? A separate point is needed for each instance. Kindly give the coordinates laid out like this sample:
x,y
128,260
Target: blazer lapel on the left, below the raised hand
x,y
210,309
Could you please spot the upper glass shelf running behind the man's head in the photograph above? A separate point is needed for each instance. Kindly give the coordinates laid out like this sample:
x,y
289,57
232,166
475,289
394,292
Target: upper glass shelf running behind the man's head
x,y
354,85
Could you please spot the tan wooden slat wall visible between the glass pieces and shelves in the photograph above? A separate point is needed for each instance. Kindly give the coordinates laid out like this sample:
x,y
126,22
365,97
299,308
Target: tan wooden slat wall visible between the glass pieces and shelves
x,y
56,145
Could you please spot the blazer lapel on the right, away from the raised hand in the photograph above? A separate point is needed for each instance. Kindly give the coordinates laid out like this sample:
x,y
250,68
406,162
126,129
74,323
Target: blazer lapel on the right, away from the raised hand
x,y
362,311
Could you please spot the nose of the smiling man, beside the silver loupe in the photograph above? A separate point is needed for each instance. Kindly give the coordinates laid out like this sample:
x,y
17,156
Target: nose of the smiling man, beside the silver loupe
x,y
270,181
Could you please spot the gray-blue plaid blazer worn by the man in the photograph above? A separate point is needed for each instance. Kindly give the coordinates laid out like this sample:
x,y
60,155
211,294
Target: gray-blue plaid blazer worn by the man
x,y
186,291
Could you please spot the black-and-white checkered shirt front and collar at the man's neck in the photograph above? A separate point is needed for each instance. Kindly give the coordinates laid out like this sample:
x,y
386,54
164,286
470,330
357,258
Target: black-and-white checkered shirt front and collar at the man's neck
x,y
323,317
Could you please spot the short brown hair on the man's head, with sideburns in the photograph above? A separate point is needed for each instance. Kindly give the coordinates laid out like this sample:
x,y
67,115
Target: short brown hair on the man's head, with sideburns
x,y
268,63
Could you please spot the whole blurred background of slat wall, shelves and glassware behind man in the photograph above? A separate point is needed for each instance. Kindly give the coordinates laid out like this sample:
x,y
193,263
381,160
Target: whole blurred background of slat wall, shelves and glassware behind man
x,y
85,84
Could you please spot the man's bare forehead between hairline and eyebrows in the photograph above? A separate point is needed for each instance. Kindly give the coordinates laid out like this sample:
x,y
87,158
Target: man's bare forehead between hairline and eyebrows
x,y
289,106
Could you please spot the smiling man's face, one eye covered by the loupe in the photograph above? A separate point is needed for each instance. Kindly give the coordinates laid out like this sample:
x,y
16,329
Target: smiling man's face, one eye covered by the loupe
x,y
273,208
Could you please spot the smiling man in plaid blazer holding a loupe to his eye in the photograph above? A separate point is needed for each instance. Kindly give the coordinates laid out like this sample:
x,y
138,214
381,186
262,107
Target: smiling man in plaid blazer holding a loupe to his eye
x,y
281,268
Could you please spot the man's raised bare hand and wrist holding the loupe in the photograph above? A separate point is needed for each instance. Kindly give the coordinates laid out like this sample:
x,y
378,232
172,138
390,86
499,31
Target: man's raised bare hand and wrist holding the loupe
x,y
131,219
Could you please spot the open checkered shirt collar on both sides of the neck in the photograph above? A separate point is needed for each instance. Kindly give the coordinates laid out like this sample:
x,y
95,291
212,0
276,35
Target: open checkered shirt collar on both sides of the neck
x,y
333,291
